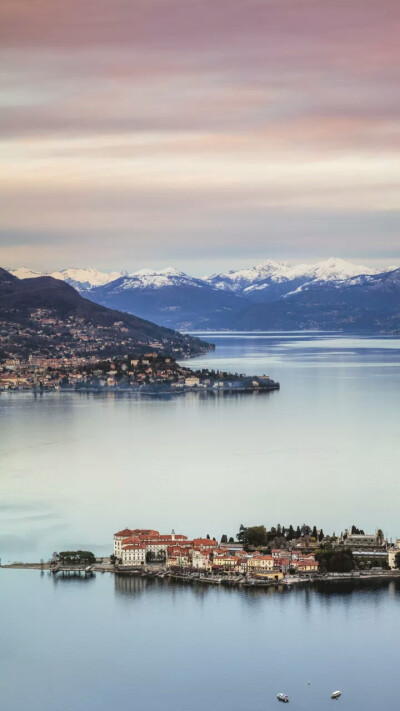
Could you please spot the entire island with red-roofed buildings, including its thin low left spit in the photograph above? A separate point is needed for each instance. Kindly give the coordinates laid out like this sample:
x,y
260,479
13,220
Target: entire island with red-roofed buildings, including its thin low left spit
x,y
254,557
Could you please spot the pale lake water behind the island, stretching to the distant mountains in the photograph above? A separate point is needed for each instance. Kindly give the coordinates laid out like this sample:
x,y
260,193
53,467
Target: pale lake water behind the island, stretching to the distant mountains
x,y
324,449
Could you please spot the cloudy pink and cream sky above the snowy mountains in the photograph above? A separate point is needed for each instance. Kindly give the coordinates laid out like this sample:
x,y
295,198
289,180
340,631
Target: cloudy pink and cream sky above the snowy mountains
x,y
203,134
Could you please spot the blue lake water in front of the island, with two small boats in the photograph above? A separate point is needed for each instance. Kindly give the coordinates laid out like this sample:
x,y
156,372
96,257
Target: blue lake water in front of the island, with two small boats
x,y
110,643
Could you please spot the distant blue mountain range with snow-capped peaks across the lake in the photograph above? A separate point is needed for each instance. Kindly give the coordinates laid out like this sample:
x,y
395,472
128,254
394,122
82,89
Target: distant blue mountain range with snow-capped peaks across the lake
x,y
333,294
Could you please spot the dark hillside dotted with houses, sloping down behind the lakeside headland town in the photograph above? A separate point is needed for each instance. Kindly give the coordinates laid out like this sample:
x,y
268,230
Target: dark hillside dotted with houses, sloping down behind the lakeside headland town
x,y
44,314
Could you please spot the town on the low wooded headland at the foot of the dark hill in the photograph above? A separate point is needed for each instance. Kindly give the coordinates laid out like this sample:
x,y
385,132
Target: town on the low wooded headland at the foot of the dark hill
x,y
147,374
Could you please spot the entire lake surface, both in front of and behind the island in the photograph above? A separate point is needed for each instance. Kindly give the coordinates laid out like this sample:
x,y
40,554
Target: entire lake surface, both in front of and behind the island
x,y
73,469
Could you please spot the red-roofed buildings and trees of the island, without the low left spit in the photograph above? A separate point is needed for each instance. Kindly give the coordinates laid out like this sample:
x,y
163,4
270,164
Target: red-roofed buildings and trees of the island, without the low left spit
x,y
257,555
